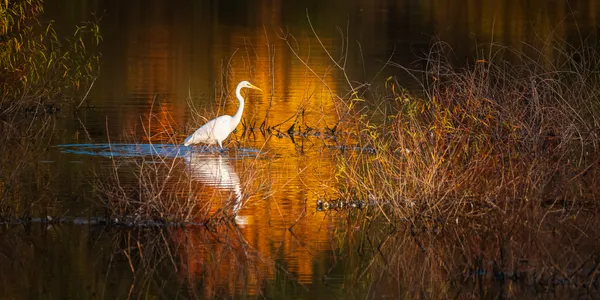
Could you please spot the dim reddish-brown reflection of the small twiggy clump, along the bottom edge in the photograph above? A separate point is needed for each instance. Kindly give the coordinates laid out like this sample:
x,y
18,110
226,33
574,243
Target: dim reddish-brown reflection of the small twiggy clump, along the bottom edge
x,y
196,262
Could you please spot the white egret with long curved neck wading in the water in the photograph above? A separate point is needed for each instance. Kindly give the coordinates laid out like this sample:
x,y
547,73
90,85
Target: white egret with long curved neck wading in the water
x,y
218,129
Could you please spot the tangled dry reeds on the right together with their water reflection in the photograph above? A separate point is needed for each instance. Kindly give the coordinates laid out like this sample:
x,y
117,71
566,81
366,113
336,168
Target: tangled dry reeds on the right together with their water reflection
x,y
481,184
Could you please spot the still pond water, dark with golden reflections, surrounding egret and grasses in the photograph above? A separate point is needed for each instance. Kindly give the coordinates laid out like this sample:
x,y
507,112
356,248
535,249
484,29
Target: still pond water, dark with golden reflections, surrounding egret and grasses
x,y
165,63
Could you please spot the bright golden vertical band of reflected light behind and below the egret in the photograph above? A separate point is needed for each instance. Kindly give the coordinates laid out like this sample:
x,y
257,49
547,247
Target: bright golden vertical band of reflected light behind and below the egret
x,y
278,191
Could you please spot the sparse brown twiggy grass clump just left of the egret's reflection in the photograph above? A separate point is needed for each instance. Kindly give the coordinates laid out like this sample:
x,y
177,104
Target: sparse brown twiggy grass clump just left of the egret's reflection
x,y
146,189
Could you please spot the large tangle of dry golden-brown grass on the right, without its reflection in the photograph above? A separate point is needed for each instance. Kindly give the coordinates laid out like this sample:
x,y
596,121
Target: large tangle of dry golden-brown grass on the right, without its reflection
x,y
494,132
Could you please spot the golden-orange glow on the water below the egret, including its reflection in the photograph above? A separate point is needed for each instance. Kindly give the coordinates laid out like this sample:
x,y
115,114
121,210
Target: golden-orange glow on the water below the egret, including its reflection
x,y
273,204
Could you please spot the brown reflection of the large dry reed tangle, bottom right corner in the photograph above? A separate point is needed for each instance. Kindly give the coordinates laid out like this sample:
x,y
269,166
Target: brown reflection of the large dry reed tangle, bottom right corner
x,y
491,256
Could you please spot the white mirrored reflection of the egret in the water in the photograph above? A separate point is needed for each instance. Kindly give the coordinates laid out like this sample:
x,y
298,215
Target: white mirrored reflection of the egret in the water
x,y
216,171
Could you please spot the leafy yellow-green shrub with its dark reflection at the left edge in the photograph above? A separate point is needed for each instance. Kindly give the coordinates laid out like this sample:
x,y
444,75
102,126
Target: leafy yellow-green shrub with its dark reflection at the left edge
x,y
40,76
